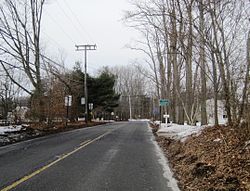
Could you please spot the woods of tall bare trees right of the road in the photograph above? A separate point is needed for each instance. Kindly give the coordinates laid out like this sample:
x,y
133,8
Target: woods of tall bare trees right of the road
x,y
195,52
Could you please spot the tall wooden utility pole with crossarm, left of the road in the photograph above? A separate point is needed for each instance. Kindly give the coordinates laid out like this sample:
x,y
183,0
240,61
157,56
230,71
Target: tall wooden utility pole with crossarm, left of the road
x,y
85,48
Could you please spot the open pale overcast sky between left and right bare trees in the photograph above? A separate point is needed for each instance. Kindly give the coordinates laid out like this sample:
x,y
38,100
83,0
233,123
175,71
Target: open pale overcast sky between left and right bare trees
x,y
70,22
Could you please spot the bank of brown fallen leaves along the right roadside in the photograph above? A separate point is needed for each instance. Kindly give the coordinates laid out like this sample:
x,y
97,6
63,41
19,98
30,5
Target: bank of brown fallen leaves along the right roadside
x,y
216,160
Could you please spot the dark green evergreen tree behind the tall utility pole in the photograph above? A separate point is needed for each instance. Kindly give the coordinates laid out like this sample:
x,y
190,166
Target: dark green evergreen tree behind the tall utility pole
x,y
100,91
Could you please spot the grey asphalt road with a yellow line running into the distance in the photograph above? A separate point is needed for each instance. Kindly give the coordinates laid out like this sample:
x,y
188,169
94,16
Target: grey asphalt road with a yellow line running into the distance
x,y
118,156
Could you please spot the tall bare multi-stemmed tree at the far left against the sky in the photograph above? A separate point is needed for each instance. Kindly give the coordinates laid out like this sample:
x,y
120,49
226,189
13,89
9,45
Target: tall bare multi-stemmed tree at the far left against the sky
x,y
20,28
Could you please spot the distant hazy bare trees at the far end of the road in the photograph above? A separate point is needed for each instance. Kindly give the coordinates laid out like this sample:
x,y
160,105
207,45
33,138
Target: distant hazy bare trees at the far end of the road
x,y
133,87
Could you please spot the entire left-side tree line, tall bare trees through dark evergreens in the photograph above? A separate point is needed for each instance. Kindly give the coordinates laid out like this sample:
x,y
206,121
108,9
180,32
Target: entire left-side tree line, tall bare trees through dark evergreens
x,y
26,70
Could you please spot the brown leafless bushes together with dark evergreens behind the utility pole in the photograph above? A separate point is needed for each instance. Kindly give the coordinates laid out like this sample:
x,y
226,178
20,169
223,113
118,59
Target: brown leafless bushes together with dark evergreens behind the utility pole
x,y
101,95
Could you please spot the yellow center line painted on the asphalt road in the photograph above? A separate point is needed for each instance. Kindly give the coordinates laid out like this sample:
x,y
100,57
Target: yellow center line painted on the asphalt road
x,y
27,177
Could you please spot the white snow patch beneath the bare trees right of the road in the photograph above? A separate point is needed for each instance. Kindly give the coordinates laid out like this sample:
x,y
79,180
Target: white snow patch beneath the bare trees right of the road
x,y
178,132
